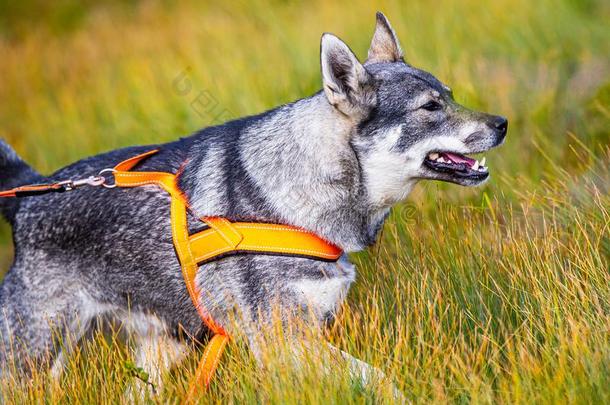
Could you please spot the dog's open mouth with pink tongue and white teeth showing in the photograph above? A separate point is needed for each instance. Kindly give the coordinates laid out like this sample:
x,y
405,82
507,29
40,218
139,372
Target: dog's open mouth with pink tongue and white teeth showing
x,y
457,165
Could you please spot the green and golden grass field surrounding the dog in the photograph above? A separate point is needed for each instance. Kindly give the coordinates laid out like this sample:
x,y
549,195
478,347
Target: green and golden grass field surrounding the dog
x,y
499,294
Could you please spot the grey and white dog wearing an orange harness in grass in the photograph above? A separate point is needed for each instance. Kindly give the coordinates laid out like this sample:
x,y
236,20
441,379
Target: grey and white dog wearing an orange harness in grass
x,y
333,163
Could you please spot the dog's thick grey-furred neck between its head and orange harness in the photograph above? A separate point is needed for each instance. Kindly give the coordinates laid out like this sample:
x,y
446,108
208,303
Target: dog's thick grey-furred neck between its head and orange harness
x,y
293,165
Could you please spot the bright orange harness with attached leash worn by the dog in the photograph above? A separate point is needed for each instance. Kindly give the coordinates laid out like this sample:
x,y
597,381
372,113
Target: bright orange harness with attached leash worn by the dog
x,y
221,238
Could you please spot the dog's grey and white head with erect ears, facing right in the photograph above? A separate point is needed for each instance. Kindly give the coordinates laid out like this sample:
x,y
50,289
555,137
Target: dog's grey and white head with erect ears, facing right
x,y
406,124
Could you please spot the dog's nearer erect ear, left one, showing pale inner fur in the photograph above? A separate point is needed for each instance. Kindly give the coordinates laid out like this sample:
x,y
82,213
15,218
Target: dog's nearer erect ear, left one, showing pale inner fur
x,y
347,84
